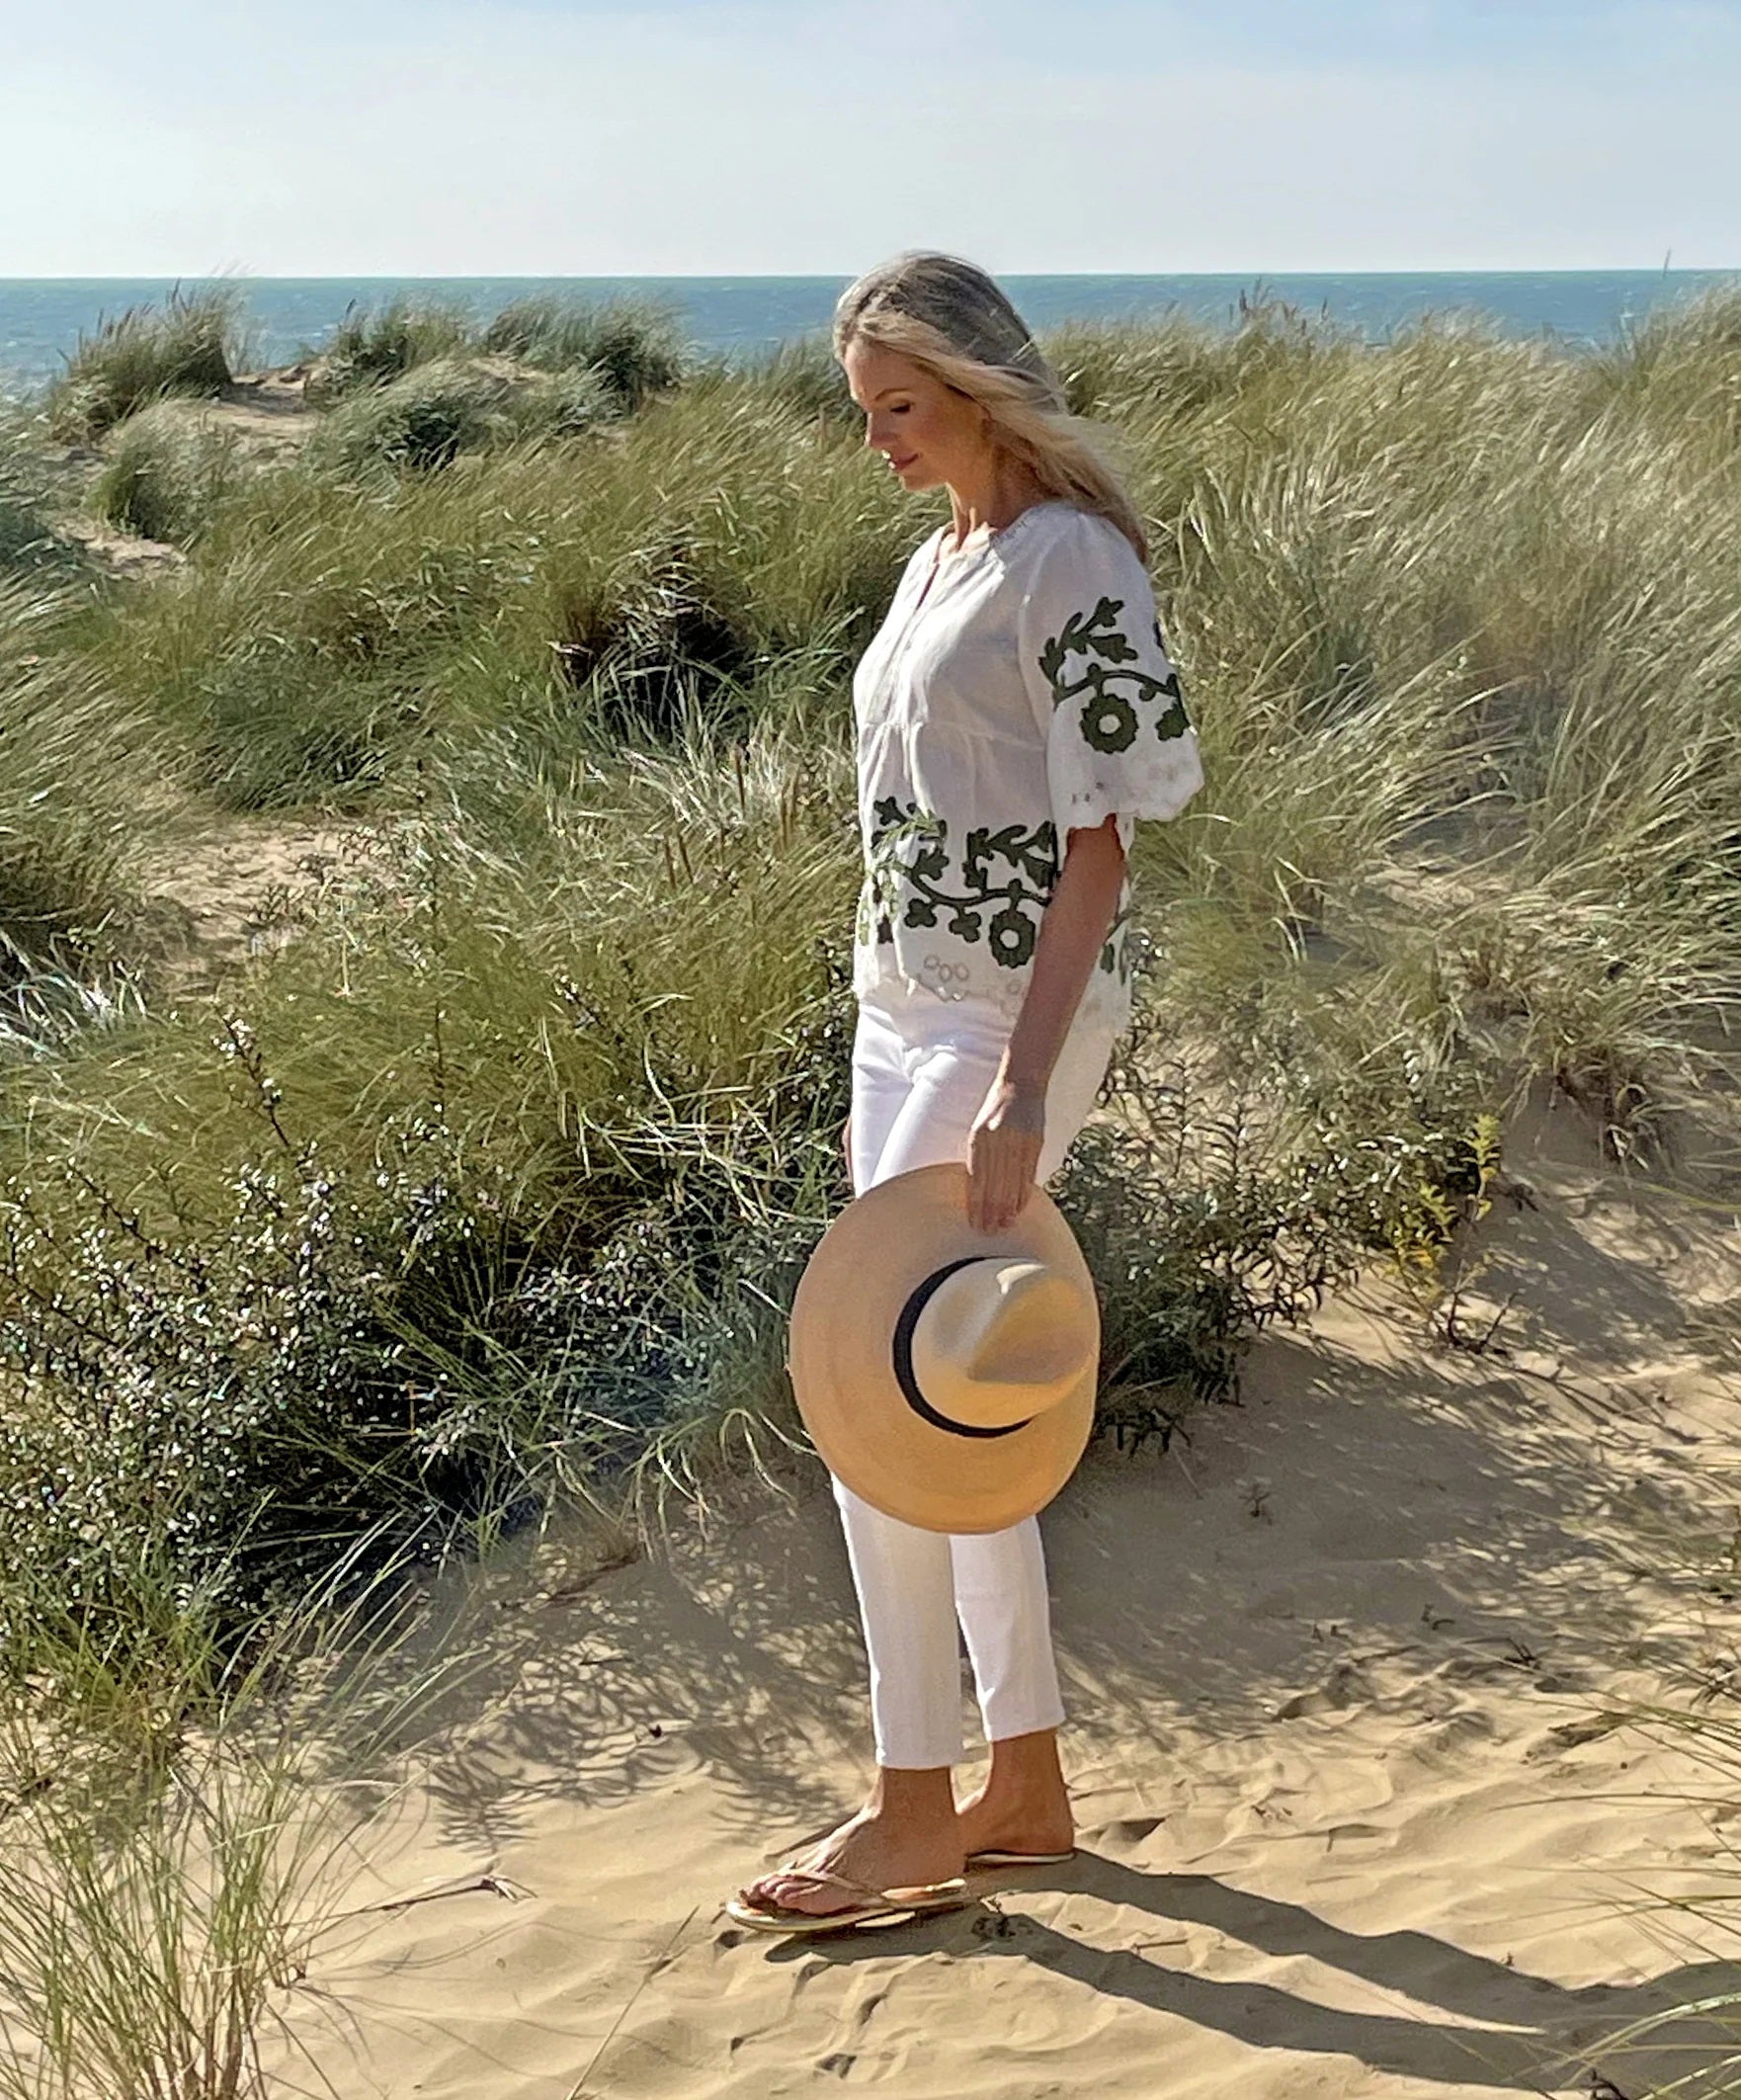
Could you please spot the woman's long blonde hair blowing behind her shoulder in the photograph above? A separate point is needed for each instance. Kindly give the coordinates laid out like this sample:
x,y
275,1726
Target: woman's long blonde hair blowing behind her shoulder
x,y
955,320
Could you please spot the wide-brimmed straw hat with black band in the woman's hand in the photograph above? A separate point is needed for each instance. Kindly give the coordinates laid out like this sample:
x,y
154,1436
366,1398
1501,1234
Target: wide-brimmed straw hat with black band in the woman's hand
x,y
948,1377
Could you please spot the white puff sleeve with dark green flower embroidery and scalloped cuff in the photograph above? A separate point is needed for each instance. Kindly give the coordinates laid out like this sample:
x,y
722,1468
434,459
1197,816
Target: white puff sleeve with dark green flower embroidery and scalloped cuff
x,y
1104,690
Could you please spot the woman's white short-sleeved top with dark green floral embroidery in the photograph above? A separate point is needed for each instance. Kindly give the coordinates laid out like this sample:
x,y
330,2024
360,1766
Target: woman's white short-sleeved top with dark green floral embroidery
x,y
1018,690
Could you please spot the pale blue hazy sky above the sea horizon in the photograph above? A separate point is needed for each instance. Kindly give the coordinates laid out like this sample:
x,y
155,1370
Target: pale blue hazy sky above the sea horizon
x,y
499,138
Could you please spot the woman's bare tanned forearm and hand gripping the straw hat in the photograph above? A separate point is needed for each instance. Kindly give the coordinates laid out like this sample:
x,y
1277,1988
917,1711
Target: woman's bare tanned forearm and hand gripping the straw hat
x,y
1011,1129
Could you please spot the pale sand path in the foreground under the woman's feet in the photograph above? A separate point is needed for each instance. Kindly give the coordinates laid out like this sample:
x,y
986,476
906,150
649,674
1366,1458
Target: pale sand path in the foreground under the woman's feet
x,y
1351,1818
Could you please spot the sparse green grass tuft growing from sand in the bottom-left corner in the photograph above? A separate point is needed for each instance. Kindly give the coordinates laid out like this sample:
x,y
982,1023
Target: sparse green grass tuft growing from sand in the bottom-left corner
x,y
167,1891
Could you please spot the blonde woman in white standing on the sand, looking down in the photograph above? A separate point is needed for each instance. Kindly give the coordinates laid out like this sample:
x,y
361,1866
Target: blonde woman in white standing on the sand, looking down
x,y
1015,715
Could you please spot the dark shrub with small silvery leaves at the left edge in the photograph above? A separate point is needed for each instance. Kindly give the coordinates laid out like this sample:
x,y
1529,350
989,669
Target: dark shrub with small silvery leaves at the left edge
x,y
209,1419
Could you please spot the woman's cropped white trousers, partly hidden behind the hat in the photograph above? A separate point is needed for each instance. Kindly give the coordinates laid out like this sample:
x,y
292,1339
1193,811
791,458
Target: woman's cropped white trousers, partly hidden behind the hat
x,y
923,1068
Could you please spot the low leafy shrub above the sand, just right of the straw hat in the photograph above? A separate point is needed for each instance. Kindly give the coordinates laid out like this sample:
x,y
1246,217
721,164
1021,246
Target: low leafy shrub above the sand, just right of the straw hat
x,y
1225,1200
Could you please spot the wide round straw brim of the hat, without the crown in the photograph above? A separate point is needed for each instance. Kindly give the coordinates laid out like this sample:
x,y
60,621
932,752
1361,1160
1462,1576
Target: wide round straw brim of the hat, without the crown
x,y
843,1366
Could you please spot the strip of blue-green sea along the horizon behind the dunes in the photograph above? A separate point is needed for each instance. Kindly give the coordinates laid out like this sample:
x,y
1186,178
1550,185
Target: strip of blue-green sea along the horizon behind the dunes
x,y
43,318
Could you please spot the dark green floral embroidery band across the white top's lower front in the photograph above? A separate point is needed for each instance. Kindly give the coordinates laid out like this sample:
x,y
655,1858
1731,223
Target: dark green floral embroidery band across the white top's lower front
x,y
915,885
